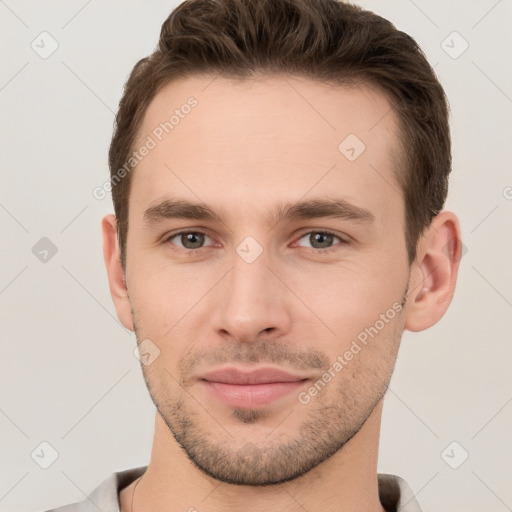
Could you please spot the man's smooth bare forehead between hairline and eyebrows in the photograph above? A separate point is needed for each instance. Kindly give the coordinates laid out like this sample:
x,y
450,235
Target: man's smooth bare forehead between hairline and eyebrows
x,y
213,137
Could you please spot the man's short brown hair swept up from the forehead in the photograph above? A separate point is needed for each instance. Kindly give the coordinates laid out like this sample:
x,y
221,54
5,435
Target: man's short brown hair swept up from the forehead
x,y
325,40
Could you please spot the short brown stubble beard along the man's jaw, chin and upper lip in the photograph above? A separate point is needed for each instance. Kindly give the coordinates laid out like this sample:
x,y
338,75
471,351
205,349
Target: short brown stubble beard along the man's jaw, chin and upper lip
x,y
325,425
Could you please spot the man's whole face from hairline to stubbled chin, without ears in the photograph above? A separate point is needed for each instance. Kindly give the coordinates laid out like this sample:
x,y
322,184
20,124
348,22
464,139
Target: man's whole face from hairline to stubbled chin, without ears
x,y
247,289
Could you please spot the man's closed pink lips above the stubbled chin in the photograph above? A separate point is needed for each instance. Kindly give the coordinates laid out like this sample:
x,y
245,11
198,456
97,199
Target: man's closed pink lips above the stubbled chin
x,y
250,389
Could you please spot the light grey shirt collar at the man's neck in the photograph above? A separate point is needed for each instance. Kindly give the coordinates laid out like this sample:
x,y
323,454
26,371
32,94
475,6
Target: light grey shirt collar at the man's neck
x,y
394,493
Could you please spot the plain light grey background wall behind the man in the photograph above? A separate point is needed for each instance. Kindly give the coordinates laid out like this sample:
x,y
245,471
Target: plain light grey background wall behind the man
x,y
68,374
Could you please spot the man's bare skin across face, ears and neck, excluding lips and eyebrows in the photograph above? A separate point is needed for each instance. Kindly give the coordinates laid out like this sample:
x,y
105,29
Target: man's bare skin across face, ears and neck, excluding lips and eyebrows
x,y
243,150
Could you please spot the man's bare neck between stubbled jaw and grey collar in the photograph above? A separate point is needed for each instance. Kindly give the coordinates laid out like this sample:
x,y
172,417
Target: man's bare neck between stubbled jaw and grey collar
x,y
346,482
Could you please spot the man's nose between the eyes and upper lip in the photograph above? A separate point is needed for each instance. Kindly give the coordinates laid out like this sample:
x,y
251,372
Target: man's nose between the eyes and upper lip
x,y
251,303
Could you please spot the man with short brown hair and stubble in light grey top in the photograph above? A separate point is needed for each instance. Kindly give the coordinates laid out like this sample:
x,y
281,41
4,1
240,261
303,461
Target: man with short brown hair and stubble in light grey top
x,y
278,172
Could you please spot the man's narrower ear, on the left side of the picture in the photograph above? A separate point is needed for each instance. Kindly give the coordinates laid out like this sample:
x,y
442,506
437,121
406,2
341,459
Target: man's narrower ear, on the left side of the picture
x,y
115,272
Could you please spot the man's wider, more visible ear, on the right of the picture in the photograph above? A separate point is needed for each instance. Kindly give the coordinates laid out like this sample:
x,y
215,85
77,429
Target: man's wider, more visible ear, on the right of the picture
x,y
434,272
